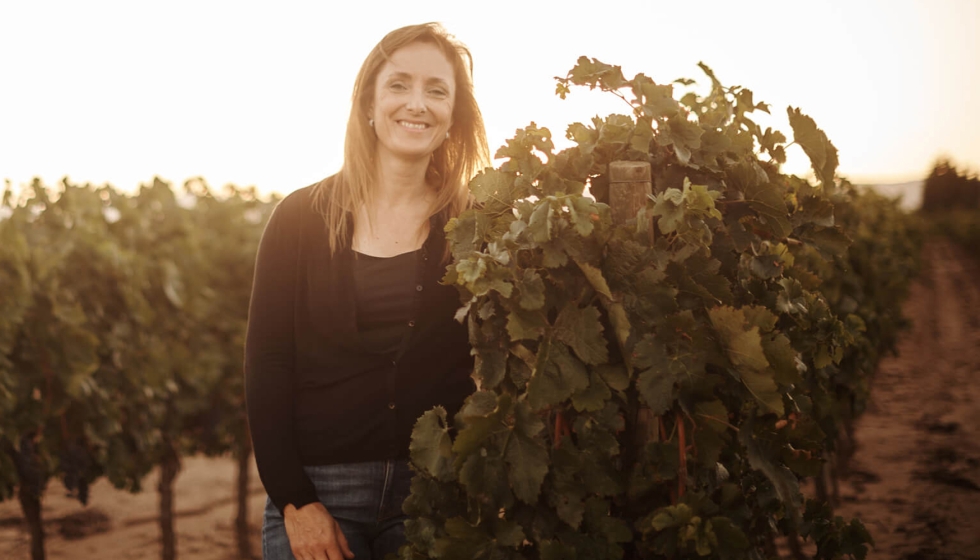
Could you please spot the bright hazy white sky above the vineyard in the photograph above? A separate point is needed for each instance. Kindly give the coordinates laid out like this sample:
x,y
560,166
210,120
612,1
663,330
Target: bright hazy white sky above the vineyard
x,y
258,93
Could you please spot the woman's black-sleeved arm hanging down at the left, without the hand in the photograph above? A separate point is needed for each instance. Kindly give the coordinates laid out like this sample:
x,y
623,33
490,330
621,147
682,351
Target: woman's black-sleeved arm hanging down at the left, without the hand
x,y
269,360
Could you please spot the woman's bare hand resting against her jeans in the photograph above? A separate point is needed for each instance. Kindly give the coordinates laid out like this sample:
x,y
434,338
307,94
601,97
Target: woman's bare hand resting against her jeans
x,y
314,534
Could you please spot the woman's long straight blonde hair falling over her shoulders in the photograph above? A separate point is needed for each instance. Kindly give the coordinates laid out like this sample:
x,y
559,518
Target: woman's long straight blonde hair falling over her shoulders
x,y
453,163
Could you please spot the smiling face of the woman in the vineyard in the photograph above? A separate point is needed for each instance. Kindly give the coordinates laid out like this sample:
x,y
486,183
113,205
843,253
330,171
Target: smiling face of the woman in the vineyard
x,y
413,102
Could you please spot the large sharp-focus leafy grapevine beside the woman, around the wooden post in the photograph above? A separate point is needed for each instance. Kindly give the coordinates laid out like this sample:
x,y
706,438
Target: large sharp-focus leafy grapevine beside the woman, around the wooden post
x,y
657,388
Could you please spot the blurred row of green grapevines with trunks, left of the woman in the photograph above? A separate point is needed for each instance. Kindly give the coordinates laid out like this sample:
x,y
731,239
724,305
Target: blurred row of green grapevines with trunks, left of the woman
x,y
122,319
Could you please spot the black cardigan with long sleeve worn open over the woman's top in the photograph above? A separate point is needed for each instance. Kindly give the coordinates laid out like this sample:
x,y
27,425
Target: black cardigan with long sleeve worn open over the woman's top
x,y
314,394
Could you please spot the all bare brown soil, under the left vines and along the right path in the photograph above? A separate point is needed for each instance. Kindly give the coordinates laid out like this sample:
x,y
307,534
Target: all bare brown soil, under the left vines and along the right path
x,y
914,479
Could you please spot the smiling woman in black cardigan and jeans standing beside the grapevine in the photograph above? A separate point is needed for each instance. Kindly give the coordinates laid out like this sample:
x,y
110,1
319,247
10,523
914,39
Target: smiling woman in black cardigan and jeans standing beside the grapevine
x,y
350,335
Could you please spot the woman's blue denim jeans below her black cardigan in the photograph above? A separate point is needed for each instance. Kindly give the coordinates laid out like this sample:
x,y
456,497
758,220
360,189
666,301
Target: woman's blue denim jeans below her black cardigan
x,y
365,499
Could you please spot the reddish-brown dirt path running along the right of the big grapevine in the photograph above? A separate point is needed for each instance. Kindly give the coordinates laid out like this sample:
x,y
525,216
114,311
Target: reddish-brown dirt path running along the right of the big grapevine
x,y
915,477
